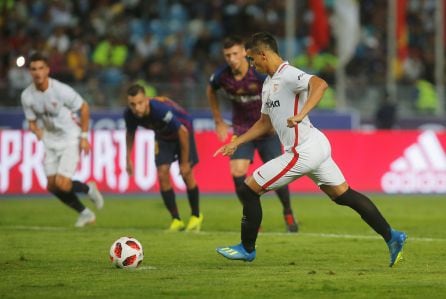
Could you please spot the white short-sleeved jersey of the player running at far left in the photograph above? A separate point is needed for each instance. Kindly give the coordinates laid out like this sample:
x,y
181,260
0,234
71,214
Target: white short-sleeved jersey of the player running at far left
x,y
56,108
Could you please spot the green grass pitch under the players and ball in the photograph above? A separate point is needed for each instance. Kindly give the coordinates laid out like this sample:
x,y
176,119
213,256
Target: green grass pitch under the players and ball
x,y
335,255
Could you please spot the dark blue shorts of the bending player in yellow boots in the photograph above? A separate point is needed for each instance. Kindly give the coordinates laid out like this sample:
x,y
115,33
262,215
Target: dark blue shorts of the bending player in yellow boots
x,y
168,151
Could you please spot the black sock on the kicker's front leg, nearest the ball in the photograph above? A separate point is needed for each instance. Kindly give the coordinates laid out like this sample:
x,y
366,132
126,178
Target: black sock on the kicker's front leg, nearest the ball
x,y
252,216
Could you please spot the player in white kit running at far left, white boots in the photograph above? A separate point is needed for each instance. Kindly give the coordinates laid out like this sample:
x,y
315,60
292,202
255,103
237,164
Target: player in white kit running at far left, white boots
x,y
54,104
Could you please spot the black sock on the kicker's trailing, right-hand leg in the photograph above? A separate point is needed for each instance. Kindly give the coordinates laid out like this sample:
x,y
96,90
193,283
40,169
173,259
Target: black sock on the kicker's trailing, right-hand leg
x,y
368,211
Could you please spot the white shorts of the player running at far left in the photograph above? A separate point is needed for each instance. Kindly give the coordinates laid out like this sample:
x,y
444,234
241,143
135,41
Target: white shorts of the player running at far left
x,y
62,161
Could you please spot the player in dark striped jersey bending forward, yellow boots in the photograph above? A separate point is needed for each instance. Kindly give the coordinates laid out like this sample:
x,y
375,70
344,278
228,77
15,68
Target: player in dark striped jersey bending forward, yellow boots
x,y
174,140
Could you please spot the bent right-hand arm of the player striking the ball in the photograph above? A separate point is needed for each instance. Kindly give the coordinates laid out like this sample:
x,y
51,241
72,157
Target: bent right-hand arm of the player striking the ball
x,y
316,89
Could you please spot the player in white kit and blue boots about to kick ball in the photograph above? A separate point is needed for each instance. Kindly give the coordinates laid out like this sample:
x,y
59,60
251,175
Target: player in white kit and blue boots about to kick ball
x,y
288,95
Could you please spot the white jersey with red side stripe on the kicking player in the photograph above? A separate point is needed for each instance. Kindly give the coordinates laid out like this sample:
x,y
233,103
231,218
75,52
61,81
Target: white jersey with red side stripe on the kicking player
x,y
283,95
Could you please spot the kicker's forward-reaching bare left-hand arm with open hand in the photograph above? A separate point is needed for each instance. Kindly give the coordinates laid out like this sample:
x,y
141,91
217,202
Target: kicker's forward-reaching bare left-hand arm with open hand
x,y
260,128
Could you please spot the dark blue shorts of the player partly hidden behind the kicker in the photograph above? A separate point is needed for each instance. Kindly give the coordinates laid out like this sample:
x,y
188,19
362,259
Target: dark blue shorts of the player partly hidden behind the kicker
x,y
268,147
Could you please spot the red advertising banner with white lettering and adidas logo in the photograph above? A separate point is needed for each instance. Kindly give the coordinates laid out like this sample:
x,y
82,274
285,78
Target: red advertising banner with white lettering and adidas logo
x,y
379,161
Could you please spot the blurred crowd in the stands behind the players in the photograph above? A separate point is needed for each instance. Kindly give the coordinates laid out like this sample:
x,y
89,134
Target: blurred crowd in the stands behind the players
x,y
171,45
